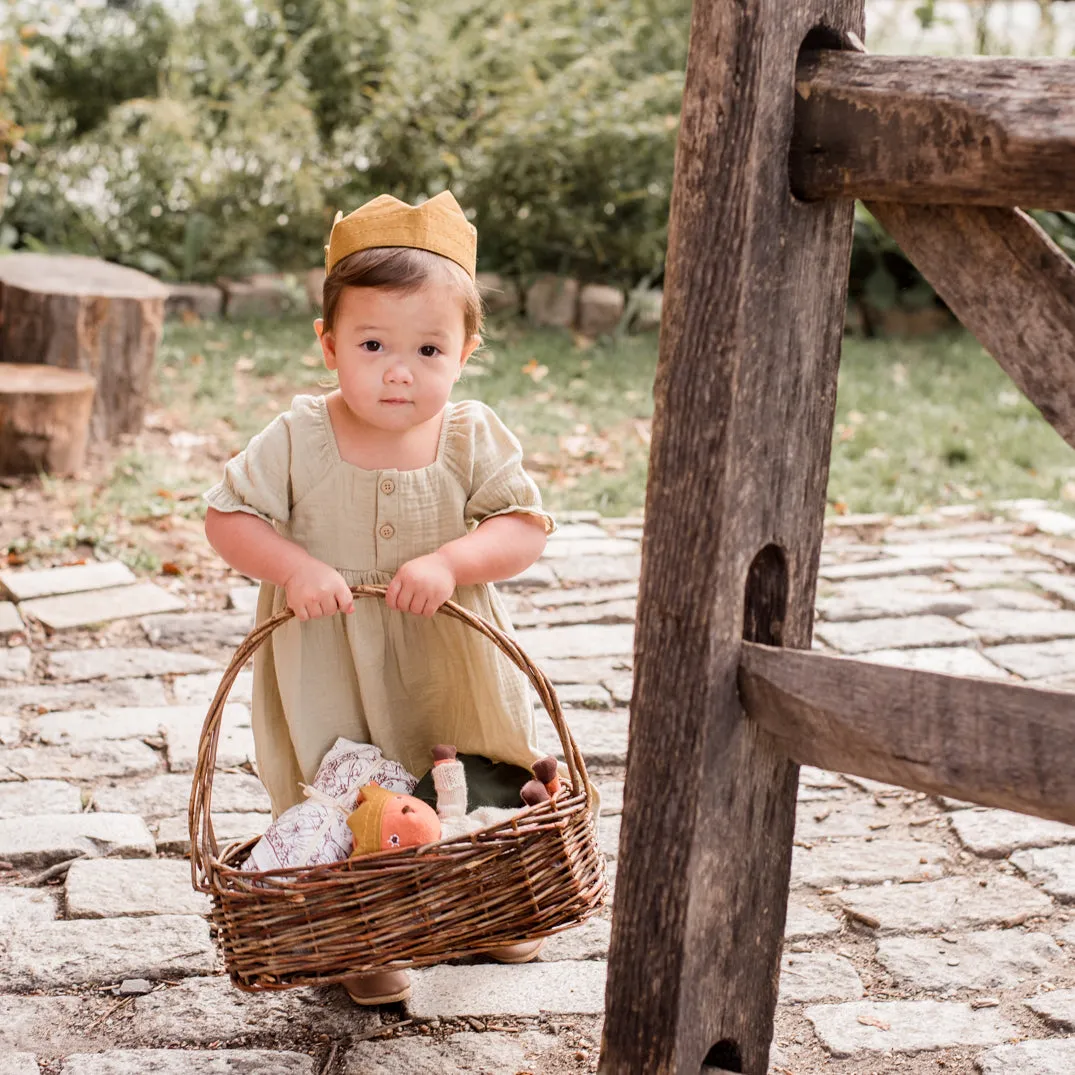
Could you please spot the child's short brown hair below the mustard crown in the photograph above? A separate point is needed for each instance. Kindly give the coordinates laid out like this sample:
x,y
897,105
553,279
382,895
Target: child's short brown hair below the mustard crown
x,y
400,269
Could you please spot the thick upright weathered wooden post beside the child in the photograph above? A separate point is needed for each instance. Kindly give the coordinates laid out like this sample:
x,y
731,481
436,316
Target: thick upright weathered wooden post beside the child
x,y
746,391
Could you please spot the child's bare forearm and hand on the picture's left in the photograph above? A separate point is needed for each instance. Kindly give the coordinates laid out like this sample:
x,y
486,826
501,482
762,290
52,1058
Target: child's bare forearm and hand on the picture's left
x,y
253,548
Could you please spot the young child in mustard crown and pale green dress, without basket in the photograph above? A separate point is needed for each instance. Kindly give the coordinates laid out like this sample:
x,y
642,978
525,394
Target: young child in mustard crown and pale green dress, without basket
x,y
385,482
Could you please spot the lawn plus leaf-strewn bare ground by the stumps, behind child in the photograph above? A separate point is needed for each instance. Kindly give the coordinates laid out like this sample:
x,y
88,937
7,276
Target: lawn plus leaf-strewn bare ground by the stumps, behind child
x,y
920,425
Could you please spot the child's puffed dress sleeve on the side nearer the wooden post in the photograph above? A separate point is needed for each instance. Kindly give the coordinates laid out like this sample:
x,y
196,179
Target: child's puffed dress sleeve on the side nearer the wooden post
x,y
499,484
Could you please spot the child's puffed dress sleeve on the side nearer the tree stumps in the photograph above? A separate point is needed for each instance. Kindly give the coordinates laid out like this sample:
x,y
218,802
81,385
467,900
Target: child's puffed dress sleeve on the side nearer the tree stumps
x,y
259,481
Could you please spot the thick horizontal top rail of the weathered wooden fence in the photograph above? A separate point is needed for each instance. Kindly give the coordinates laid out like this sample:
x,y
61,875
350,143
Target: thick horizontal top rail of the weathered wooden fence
x,y
935,131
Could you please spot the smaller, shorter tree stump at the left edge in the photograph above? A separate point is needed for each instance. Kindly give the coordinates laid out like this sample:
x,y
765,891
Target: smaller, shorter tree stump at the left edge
x,y
45,419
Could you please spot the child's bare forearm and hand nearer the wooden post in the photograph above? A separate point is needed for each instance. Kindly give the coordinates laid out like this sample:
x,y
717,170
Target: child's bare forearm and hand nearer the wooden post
x,y
498,549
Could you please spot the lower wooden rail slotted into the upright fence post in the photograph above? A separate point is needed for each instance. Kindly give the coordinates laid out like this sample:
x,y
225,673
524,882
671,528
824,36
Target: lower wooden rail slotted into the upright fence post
x,y
990,742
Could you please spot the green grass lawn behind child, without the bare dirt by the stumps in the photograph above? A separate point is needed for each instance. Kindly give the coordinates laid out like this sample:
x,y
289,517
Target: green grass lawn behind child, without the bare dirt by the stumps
x,y
920,424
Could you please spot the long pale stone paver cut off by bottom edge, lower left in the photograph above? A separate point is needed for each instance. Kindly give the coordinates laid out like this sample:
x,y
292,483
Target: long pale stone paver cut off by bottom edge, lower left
x,y
190,1063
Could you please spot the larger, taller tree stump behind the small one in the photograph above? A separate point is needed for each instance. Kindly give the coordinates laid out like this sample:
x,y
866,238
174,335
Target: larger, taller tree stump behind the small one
x,y
85,314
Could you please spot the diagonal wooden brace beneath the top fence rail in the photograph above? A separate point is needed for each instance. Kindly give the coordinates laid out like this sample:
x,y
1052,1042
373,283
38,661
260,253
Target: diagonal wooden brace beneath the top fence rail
x,y
1010,284
